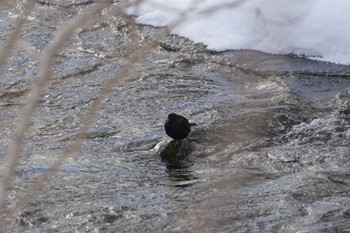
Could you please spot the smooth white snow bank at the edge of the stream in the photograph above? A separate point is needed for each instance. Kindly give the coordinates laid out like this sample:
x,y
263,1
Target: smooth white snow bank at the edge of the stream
x,y
317,29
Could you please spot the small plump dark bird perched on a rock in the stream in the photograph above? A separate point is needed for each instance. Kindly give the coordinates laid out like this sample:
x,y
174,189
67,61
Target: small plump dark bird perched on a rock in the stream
x,y
177,127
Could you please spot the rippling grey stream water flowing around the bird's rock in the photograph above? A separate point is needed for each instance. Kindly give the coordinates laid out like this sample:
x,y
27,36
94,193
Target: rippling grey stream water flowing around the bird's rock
x,y
270,152
